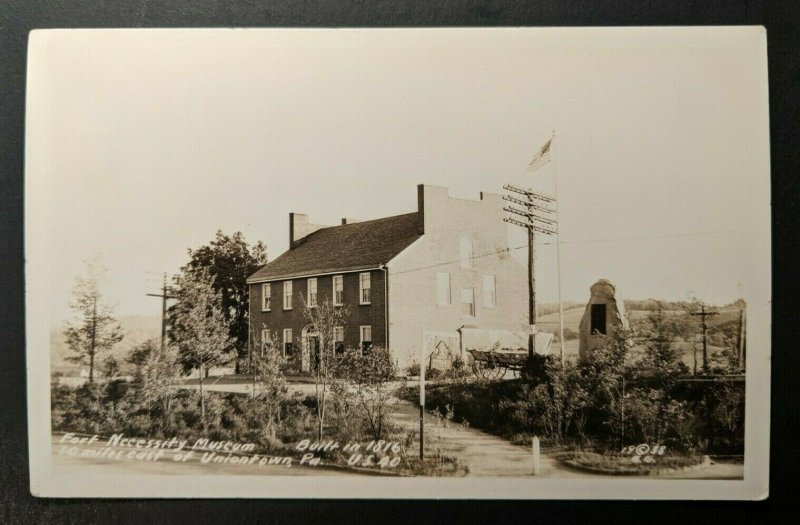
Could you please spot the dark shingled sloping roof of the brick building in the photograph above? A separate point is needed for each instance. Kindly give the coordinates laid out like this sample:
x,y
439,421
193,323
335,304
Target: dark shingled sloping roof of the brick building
x,y
344,248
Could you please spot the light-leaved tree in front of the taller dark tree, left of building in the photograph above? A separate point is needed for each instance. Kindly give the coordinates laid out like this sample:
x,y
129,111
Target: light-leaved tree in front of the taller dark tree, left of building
x,y
200,330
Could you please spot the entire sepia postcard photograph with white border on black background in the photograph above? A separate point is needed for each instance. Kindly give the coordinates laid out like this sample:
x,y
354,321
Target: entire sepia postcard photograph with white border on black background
x,y
509,263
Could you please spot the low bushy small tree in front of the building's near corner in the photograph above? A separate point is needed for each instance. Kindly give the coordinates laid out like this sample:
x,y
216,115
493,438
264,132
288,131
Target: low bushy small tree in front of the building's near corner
x,y
372,377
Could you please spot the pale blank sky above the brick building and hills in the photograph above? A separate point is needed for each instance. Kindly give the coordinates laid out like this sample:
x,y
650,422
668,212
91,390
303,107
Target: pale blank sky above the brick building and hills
x,y
142,144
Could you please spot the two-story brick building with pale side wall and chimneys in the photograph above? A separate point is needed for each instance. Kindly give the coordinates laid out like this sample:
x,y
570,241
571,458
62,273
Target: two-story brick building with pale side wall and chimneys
x,y
445,269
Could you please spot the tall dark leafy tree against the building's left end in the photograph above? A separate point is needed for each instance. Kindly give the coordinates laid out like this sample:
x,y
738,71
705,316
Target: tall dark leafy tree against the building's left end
x,y
230,261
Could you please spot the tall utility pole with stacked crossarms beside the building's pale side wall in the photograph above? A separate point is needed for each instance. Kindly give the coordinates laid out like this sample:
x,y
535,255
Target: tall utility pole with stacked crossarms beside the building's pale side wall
x,y
535,217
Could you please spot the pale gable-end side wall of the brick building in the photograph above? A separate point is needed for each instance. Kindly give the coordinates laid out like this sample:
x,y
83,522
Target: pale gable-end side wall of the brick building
x,y
412,274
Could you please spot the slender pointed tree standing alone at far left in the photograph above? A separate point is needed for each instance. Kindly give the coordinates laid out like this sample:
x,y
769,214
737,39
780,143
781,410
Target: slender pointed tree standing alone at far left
x,y
95,328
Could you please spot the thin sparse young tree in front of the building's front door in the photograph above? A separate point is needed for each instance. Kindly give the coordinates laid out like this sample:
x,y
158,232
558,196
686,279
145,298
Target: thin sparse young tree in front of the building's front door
x,y
326,319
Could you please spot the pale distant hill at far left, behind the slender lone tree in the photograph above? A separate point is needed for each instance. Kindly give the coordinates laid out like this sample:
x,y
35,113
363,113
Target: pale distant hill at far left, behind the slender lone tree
x,y
137,329
